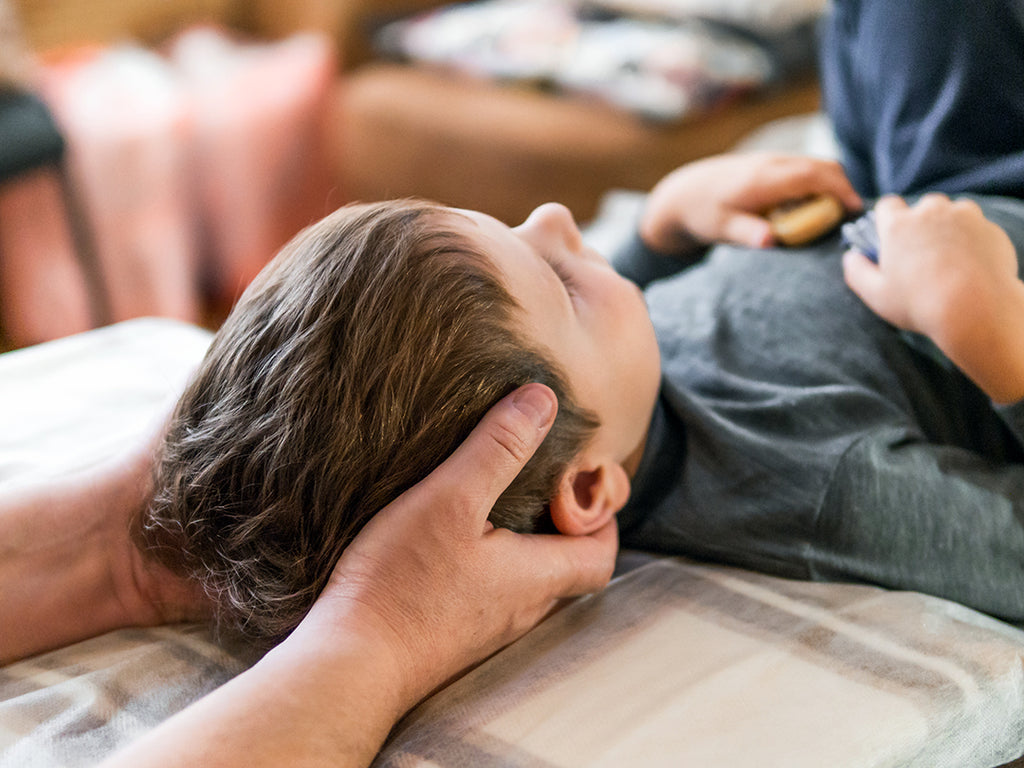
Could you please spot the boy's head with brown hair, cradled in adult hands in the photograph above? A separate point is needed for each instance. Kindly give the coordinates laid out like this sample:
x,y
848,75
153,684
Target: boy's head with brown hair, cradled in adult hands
x,y
355,364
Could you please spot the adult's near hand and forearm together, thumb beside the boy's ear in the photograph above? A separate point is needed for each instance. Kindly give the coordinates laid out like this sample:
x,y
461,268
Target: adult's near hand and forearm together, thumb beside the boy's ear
x,y
428,589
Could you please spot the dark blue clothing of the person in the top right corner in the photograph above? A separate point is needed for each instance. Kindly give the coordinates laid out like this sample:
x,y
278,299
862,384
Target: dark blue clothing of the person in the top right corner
x,y
927,95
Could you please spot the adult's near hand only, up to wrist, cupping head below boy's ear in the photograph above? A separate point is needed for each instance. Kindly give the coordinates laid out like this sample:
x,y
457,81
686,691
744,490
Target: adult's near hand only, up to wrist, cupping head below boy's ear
x,y
439,585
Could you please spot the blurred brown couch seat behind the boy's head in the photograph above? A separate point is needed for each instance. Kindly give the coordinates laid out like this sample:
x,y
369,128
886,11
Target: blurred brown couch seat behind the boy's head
x,y
475,143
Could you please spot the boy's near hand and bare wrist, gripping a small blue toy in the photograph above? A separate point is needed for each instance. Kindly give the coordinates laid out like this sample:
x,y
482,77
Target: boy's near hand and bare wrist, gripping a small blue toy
x,y
947,272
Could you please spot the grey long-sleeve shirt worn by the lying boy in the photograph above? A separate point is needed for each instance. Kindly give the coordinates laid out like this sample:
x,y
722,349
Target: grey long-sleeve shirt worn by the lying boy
x,y
800,435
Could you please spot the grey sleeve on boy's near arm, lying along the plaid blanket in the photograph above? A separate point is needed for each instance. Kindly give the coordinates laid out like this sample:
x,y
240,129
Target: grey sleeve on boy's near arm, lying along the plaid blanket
x,y
906,514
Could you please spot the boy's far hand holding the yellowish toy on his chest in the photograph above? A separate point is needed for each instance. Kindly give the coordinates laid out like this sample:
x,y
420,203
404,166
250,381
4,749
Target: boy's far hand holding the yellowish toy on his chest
x,y
724,198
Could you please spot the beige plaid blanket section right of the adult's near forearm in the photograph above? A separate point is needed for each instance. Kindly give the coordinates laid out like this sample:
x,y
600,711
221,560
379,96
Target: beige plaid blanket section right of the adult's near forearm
x,y
679,664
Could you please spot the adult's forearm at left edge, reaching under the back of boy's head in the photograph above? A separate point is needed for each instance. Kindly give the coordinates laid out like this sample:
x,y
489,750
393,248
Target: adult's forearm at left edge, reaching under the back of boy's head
x,y
69,570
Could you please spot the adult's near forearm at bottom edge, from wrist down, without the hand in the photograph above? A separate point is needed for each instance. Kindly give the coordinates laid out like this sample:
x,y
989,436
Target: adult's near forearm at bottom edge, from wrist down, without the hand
x,y
310,703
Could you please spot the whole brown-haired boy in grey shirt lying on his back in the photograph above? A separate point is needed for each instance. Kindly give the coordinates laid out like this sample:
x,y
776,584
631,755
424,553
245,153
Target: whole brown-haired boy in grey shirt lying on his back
x,y
795,433
